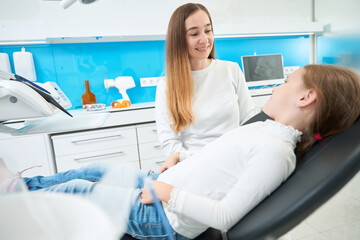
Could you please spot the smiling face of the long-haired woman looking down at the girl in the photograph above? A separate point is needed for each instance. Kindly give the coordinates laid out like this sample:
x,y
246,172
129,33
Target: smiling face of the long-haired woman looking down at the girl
x,y
199,35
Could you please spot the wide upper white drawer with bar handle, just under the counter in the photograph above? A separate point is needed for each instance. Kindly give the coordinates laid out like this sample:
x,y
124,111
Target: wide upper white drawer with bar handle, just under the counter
x,y
93,140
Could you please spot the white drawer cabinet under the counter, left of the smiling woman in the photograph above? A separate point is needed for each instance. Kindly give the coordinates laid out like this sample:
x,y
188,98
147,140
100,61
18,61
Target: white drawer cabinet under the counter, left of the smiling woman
x,y
137,146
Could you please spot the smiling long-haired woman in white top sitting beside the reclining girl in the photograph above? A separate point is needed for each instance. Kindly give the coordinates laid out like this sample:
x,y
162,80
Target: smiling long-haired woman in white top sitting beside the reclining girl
x,y
201,97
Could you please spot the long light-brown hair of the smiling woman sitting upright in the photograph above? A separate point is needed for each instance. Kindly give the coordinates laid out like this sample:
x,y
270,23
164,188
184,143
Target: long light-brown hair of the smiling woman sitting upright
x,y
179,82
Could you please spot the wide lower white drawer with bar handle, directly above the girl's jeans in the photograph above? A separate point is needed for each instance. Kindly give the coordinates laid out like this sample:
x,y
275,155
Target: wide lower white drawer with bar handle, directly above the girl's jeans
x,y
121,155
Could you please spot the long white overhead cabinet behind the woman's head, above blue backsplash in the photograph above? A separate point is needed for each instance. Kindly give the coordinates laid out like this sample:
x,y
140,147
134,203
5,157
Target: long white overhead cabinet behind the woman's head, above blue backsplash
x,y
113,20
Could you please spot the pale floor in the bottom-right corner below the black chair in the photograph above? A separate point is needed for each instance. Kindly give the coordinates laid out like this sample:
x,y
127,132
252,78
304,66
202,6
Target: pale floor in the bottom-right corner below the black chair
x,y
337,219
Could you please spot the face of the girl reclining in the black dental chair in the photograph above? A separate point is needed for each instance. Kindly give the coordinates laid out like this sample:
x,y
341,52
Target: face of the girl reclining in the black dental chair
x,y
287,95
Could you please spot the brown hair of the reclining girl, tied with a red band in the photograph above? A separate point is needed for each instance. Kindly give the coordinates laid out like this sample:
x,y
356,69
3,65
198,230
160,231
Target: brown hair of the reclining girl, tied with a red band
x,y
337,103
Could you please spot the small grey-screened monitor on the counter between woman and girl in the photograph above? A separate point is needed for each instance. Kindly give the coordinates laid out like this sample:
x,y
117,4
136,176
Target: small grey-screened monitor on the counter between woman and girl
x,y
263,70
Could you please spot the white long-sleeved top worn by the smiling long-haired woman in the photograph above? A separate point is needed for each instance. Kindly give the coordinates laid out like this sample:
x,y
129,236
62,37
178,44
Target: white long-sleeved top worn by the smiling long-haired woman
x,y
221,101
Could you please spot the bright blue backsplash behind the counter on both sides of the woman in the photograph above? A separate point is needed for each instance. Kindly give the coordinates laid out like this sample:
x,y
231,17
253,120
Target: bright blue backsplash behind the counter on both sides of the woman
x,y
69,65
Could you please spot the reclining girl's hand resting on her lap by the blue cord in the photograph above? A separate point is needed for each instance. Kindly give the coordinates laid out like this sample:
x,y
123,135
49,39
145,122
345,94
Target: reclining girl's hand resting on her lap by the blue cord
x,y
162,191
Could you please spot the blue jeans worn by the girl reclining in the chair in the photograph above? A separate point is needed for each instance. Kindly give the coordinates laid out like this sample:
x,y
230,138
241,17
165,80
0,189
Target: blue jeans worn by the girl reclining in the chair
x,y
144,221
